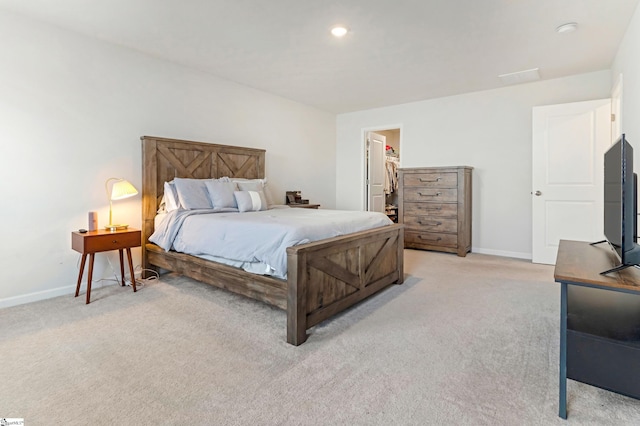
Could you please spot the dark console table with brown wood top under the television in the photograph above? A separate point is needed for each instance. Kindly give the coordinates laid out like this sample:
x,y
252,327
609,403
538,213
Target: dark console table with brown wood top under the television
x,y
599,320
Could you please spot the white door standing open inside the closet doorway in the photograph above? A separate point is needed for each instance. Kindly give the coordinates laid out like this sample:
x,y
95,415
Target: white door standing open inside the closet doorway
x,y
376,145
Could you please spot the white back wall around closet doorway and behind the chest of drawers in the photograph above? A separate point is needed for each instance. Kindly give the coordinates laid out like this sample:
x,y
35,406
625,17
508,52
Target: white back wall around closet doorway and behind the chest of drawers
x,y
489,130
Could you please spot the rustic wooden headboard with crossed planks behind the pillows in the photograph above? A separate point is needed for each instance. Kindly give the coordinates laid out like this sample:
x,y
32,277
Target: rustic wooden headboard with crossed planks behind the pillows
x,y
164,159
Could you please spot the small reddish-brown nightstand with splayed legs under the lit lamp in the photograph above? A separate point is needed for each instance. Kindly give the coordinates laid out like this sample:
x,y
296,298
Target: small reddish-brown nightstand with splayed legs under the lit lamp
x,y
92,242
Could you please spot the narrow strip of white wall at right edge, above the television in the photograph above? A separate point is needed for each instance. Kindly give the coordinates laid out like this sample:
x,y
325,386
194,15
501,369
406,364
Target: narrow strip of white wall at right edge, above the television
x,y
627,63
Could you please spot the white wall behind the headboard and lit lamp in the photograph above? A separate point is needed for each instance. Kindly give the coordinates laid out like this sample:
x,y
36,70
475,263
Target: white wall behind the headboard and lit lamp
x,y
72,110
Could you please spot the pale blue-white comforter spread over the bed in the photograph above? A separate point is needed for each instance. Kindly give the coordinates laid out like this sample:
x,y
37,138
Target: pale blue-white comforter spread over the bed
x,y
257,237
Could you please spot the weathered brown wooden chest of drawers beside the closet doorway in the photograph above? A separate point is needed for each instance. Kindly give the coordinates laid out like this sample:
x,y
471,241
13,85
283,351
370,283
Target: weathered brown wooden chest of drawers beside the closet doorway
x,y
434,203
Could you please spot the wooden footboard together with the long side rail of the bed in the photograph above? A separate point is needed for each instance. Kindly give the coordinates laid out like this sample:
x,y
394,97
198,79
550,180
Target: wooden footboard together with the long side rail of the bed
x,y
324,277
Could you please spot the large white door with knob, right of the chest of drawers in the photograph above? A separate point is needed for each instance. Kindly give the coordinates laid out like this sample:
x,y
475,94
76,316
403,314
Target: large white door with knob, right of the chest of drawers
x,y
569,142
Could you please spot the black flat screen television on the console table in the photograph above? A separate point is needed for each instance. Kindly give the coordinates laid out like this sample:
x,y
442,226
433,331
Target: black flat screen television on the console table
x,y
620,204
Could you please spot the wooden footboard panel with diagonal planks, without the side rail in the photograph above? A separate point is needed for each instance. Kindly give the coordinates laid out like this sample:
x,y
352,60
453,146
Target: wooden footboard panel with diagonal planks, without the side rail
x,y
328,276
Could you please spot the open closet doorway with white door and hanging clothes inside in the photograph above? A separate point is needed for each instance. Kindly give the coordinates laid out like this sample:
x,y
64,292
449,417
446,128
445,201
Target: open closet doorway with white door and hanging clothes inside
x,y
382,159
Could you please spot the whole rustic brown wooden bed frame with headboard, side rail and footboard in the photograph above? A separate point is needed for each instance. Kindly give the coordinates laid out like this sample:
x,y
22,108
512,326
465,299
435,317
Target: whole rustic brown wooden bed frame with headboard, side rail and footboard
x,y
323,277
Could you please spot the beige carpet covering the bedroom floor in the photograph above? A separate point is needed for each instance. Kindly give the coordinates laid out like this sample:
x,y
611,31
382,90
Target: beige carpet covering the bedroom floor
x,y
465,341
